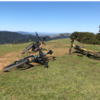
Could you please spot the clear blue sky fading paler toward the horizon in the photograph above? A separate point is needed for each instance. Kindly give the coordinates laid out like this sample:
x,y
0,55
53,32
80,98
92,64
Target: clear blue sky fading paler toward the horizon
x,y
50,16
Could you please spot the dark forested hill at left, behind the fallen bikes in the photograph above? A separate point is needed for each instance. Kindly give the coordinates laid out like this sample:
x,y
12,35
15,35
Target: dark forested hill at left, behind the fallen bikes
x,y
11,37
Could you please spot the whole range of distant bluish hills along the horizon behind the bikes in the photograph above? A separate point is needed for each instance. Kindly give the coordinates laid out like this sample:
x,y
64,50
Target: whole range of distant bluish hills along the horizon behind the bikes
x,y
14,37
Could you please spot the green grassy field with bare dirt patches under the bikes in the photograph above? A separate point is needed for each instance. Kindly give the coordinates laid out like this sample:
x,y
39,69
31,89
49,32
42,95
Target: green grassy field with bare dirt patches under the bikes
x,y
69,77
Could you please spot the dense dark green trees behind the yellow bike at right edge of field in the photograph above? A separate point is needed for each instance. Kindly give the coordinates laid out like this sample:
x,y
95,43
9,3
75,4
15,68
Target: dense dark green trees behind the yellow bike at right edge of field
x,y
86,37
